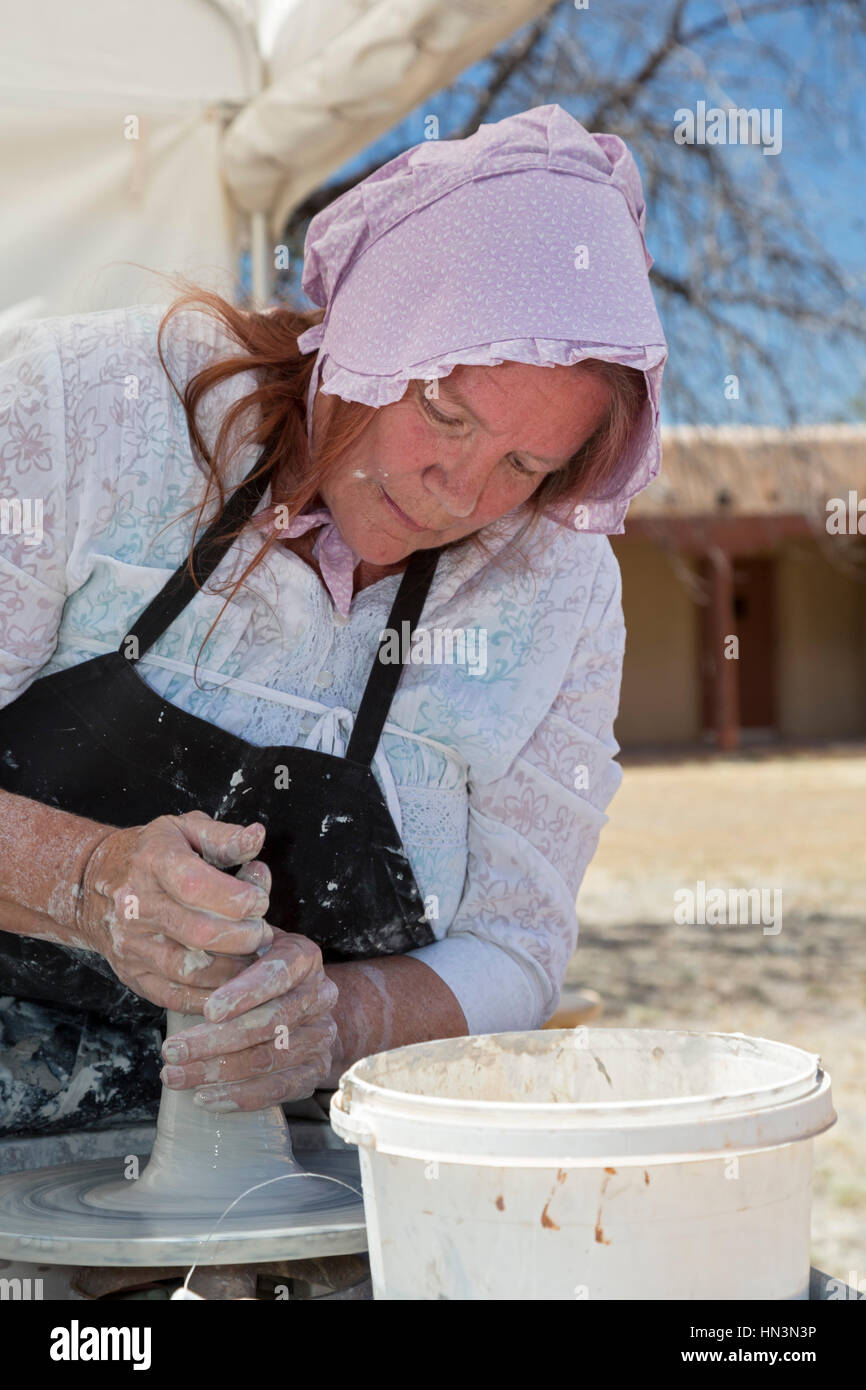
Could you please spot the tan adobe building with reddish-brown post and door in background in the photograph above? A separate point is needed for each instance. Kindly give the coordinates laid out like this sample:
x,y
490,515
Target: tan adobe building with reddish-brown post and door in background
x,y
740,537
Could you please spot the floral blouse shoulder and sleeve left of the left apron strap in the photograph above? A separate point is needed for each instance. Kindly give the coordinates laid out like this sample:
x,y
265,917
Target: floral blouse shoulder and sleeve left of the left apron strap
x,y
95,459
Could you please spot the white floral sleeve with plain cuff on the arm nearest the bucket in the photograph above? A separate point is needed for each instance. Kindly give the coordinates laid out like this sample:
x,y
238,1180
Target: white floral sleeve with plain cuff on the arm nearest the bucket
x,y
532,835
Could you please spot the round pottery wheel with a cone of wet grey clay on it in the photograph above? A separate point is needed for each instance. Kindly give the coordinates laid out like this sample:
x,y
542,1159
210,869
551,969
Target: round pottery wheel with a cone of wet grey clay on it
x,y
179,1211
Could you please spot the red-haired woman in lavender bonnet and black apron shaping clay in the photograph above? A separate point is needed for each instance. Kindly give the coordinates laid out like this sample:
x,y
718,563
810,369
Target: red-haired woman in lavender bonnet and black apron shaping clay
x,y
216,796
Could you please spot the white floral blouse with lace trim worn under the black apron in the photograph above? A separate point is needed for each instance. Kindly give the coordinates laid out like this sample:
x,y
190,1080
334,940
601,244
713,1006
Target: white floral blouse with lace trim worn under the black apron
x,y
497,772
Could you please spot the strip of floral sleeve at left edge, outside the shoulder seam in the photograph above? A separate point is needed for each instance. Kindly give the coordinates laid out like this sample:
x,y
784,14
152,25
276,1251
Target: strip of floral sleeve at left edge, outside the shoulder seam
x,y
35,515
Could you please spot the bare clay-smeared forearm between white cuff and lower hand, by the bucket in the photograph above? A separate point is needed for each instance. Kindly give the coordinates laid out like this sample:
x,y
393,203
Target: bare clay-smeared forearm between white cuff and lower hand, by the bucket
x,y
390,1003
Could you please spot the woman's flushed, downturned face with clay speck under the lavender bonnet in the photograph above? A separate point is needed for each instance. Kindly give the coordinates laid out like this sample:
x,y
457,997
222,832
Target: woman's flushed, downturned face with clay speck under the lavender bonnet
x,y
433,471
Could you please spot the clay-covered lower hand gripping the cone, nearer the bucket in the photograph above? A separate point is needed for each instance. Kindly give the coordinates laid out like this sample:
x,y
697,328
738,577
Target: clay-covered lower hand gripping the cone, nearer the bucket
x,y
270,1033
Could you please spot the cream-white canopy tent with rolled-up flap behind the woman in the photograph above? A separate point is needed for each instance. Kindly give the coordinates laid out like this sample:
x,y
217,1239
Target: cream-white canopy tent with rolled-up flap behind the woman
x,y
168,137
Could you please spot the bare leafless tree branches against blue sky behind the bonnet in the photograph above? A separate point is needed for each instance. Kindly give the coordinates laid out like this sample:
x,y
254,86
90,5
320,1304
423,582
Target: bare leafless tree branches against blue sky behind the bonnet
x,y
743,281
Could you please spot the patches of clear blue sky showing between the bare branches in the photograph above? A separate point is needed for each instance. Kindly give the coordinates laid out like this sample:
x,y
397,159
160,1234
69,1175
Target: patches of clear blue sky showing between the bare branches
x,y
825,159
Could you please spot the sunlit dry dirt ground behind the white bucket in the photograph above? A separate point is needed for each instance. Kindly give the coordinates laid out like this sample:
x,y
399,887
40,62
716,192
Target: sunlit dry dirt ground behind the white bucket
x,y
796,824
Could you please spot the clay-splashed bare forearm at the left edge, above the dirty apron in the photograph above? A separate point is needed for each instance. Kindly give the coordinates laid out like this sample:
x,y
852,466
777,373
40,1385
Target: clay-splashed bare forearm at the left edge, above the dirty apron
x,y
44,854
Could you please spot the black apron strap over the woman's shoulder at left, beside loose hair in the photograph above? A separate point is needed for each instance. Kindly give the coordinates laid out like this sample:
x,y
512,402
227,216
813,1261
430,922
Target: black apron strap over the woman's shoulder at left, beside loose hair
x,y
181,589
